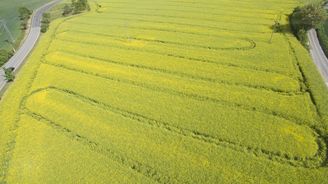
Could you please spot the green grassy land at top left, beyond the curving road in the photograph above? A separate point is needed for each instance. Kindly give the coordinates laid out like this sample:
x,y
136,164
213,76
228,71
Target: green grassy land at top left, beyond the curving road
x,y
9,13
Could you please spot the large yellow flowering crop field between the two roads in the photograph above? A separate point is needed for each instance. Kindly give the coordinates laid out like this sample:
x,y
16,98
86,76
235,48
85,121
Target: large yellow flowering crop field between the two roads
x,y
176,91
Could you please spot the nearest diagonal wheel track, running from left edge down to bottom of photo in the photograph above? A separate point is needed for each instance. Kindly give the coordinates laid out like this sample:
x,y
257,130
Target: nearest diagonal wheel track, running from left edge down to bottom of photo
x,y
134,165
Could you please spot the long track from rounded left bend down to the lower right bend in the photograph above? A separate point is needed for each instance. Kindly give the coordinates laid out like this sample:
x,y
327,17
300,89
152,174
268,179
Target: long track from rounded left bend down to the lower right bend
x,y
282,158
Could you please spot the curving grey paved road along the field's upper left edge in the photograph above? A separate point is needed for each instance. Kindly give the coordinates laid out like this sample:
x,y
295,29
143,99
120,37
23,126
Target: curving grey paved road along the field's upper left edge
x,y
18,59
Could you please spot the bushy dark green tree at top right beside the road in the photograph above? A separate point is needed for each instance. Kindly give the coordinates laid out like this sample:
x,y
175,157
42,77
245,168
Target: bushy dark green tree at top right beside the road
x,y
305,18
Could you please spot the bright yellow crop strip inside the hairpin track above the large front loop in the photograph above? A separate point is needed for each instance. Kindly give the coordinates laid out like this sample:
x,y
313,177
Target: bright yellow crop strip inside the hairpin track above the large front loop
x,y
274,103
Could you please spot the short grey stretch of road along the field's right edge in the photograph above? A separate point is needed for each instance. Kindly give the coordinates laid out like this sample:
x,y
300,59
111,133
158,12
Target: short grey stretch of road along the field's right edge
x,y
318,55
